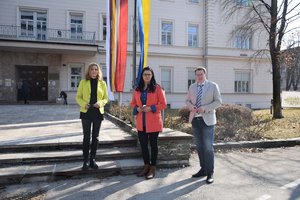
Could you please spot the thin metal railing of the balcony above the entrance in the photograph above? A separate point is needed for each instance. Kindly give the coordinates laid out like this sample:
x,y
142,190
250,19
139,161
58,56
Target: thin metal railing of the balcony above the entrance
x,y
46,34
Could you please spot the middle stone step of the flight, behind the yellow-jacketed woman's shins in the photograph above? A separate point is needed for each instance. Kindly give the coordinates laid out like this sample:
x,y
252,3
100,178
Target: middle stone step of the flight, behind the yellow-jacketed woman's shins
x,y
66,156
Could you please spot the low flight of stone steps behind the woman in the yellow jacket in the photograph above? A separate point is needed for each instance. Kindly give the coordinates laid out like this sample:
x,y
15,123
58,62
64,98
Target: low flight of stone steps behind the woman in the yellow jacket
x,y
48,162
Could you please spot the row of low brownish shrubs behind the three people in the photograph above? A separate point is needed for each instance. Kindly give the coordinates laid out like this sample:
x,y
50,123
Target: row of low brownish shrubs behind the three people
x,y
234,123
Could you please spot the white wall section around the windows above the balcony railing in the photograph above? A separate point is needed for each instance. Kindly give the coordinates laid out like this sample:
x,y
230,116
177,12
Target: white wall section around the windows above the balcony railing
x,y
57,10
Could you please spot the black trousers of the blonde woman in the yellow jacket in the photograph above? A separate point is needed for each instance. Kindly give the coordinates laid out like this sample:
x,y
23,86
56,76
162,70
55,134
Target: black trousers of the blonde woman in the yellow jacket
x,y
87,145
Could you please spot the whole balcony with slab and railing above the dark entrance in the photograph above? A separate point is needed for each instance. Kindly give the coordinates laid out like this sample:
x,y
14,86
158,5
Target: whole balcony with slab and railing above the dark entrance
x,y
59,41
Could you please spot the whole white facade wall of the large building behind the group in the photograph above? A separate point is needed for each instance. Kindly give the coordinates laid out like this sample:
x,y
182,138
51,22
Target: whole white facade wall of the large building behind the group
x,y
221,58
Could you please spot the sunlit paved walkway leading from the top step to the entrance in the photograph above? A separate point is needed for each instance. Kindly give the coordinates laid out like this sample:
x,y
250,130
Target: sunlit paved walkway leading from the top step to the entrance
x,y
38,124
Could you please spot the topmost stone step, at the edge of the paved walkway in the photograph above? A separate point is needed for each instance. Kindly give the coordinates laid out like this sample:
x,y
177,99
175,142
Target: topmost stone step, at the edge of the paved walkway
x,y
35,147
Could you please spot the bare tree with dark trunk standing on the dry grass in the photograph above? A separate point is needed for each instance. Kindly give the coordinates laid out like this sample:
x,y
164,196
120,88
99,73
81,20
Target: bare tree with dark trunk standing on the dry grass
x,y
274,17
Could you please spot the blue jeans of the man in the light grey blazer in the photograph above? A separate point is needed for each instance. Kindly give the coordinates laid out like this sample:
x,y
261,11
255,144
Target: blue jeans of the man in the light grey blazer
x,y
204,138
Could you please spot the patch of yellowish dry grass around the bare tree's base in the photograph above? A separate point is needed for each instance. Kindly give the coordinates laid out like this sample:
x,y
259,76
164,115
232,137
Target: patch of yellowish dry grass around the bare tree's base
x,y
287,127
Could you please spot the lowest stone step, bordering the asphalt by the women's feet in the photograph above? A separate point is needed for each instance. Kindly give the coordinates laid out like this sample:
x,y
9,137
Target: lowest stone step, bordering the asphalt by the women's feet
x,y
58,171
